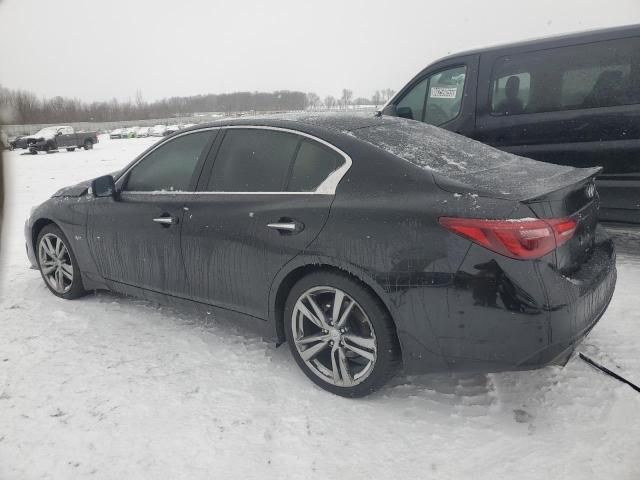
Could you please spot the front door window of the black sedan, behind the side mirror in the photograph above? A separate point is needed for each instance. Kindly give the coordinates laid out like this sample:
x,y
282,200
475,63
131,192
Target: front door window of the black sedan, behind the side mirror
x,y
171,166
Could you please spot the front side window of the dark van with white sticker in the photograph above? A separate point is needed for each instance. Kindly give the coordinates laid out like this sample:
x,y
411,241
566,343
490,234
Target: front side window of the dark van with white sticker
x,y
437,99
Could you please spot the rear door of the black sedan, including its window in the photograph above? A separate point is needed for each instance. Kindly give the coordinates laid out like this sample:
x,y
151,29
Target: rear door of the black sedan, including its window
x,y
262,199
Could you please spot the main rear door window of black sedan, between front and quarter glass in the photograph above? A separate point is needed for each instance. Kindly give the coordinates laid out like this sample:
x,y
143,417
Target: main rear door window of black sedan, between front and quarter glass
x,y
253,160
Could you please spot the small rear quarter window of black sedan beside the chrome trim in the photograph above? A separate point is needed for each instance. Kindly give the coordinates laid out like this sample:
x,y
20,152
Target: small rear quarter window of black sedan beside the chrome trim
x,y
313,164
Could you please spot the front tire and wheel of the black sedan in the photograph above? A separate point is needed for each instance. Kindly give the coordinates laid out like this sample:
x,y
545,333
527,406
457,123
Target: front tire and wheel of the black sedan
x,y
48,239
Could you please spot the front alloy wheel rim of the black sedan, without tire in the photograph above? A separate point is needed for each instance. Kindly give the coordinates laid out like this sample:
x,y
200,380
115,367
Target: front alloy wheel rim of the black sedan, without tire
x,y
55,263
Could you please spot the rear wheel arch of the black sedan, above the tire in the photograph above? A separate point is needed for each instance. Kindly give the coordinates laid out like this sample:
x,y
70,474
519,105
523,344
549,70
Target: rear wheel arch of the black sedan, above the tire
x,y
287,278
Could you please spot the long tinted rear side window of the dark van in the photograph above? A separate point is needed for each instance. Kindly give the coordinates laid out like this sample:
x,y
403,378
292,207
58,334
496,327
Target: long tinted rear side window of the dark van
x,y
594,75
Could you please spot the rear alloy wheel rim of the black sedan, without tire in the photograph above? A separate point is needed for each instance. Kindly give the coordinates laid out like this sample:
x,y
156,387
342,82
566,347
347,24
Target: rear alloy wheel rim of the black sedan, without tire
x,y
334,336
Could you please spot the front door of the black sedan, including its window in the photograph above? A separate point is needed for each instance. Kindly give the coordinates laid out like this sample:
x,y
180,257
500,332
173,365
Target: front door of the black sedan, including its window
x,y
135,238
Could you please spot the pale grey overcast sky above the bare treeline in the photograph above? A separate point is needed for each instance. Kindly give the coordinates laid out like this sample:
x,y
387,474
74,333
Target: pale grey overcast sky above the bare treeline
x,y
97,50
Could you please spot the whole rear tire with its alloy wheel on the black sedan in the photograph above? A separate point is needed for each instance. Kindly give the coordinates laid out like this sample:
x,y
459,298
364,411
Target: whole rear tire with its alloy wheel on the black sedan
x,y
362,317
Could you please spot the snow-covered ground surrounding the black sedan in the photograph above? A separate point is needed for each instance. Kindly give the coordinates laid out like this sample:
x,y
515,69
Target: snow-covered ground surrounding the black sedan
x,y
108,387
